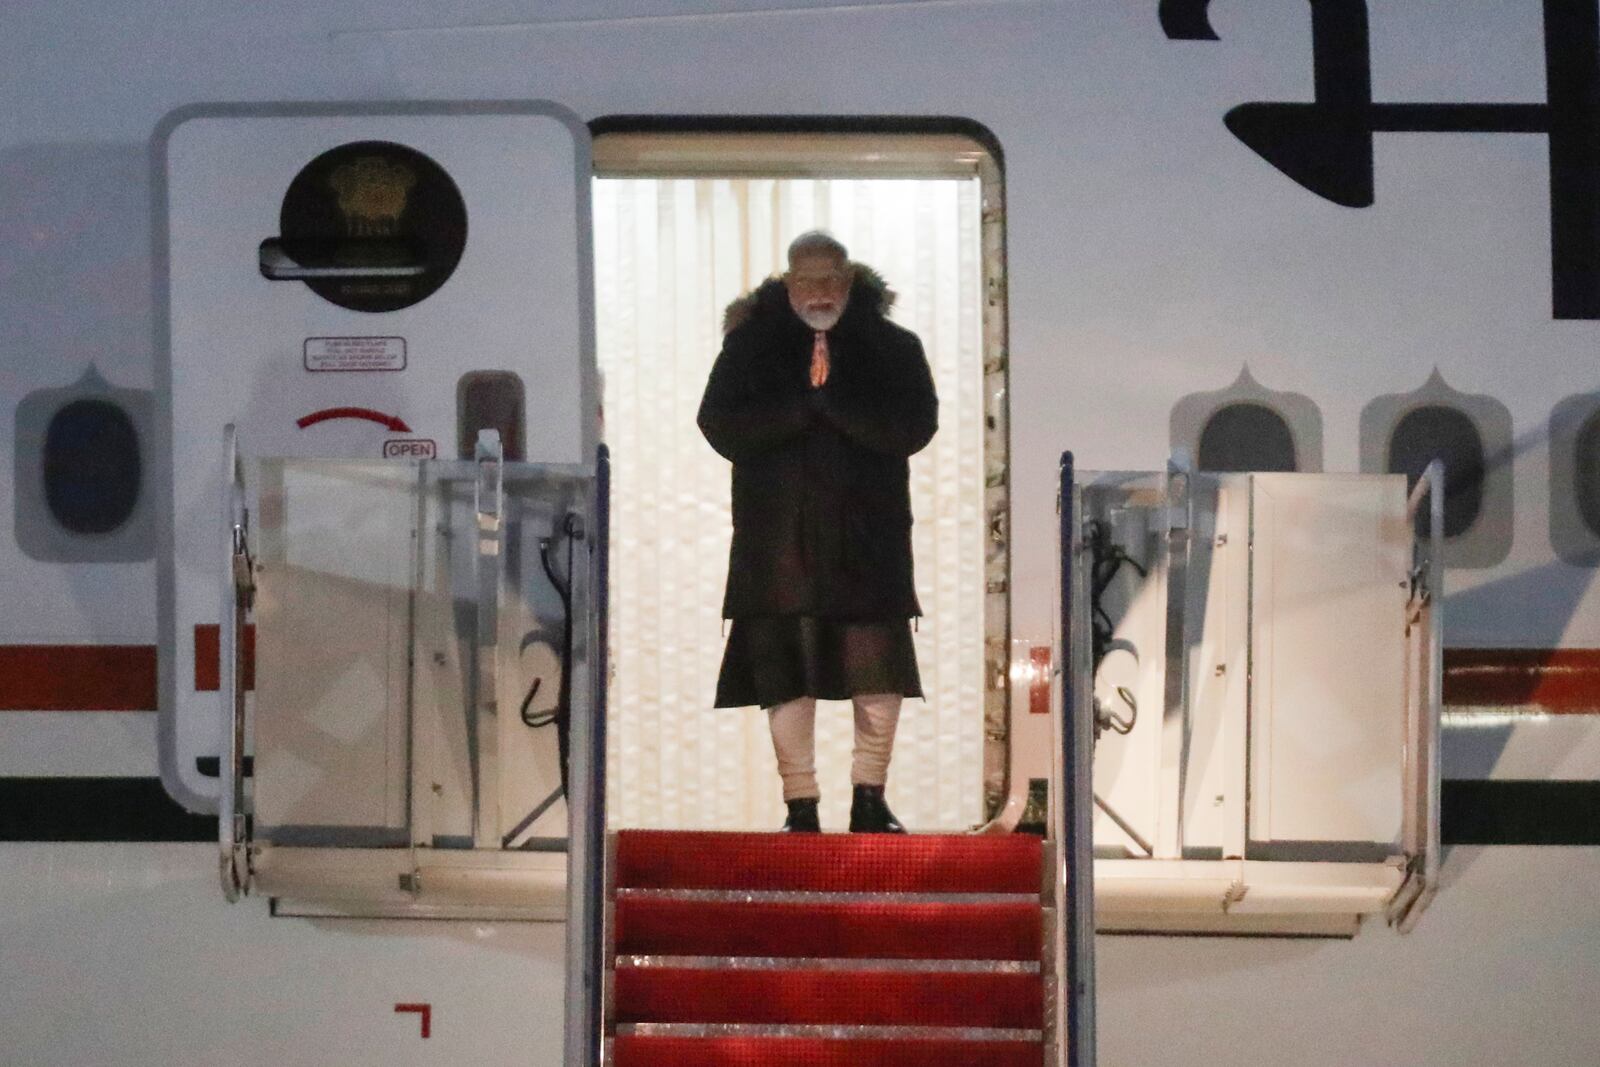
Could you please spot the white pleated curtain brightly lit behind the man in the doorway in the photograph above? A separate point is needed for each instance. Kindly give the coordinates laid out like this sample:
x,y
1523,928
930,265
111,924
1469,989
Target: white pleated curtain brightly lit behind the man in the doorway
x,y
670,257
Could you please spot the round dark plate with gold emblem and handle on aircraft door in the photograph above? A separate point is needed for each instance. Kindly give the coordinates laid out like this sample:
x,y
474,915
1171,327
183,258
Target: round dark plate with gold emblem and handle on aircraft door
x,y
375,226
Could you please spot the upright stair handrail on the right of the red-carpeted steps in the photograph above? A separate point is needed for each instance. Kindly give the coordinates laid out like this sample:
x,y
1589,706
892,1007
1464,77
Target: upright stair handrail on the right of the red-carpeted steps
x,y
1073,812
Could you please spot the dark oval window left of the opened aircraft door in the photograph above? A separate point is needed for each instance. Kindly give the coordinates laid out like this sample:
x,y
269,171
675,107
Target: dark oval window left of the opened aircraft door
x,y
92,466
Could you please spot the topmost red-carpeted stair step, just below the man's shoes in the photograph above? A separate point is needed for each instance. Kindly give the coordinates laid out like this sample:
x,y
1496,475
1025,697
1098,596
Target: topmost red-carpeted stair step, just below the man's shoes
x,y
828,863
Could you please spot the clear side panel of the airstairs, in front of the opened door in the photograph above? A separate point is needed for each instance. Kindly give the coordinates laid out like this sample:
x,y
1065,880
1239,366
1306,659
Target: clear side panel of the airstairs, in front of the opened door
x,y
410,661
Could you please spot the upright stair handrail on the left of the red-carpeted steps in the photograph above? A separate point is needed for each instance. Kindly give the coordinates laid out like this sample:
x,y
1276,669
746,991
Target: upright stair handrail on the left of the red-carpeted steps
x,y
586,804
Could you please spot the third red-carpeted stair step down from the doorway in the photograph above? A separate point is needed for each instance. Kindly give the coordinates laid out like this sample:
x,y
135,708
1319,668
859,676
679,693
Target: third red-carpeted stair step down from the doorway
x,y
943,999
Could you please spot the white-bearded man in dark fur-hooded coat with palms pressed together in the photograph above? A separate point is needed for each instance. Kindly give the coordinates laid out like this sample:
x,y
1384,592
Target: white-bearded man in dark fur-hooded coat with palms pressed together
x,y
818,401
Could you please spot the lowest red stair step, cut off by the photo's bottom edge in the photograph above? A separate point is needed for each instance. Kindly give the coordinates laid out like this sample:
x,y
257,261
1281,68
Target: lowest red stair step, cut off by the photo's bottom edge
x,y
793,1052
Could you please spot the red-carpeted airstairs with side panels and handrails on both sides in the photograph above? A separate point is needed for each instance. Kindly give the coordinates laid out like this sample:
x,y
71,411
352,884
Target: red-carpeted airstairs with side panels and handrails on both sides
x,y
393,780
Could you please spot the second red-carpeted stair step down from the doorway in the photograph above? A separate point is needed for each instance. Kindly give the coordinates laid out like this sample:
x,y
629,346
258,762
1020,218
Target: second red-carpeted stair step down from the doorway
x,y
830,930
